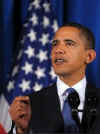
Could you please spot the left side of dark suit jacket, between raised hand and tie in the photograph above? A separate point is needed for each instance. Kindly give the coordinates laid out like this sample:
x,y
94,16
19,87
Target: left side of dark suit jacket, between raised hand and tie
x,y
46,117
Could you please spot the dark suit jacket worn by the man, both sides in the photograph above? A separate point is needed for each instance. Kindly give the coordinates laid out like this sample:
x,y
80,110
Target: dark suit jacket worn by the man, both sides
x,y
47,117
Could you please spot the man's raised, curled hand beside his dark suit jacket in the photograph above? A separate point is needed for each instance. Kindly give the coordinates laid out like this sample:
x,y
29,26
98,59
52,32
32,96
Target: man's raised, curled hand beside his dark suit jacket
x,y
20,112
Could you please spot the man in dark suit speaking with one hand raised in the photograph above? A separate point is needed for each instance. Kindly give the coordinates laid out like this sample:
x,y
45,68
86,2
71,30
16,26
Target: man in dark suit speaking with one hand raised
x,y
41,112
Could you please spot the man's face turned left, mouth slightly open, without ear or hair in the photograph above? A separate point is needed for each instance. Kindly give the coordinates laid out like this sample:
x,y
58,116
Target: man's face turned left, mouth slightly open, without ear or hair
x,y
68,52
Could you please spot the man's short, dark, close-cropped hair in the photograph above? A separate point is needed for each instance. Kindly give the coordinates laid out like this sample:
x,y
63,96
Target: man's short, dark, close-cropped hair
x,y
85,32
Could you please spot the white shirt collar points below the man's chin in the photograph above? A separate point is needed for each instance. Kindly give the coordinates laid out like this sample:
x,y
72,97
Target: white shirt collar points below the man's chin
x,y
79,87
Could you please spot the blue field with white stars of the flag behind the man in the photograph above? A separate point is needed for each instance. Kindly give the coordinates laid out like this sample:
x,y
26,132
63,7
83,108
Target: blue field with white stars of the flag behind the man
x,y
33,70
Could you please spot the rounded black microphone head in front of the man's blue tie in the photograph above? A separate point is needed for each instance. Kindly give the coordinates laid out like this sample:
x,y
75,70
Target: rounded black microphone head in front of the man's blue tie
x,y
73,100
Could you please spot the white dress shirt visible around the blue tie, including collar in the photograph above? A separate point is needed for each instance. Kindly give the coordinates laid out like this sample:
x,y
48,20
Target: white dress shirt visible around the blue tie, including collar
x,y
80,89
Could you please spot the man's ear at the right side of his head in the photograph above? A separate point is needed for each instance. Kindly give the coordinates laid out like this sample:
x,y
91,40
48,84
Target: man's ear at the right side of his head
x,y
91,55
